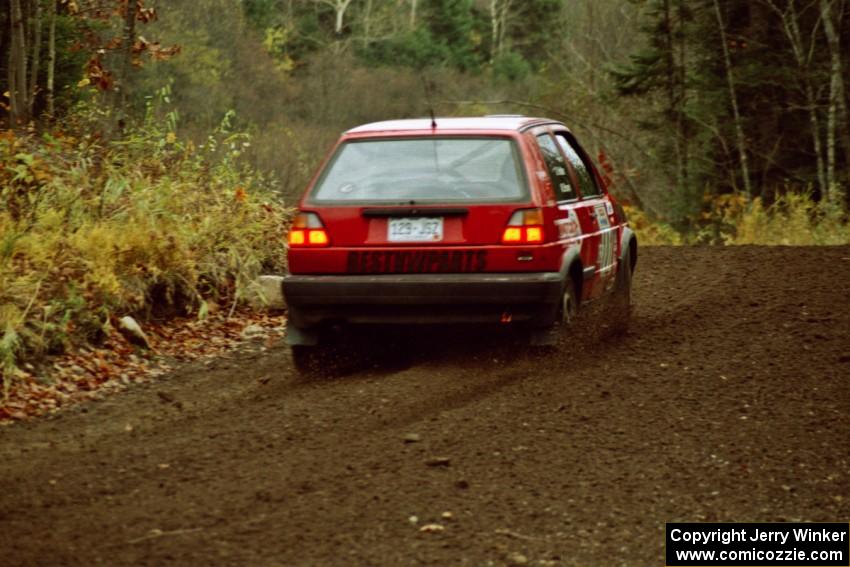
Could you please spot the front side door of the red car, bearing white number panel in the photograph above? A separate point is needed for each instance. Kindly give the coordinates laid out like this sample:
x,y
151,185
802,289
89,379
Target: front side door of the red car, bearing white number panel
x,y
597,209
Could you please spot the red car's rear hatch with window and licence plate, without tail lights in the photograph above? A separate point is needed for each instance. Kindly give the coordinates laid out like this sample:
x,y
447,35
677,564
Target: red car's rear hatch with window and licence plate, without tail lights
x,y
416,204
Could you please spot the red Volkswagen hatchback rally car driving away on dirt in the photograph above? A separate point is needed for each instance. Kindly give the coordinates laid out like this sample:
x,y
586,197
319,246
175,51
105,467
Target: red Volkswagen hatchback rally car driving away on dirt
x,y
499,219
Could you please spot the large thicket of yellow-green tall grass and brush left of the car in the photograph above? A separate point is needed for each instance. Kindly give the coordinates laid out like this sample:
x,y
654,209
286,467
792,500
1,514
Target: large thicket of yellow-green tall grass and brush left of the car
x,y
90,229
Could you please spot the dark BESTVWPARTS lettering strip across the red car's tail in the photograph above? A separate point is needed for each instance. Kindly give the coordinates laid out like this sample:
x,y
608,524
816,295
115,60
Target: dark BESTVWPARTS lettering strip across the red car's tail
x,y
417,262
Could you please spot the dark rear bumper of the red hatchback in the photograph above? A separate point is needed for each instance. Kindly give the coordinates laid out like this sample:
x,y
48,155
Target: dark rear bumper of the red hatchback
x,y
423,298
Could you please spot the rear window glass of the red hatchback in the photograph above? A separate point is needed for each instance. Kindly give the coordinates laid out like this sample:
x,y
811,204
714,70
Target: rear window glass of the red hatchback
x,y
422,170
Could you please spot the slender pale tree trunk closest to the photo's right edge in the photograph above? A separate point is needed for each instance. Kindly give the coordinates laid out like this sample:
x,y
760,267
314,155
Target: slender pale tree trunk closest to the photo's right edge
x,y
837,117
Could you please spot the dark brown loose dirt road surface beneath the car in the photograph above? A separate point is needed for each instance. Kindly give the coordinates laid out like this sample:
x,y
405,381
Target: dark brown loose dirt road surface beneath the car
x,y
727,401
